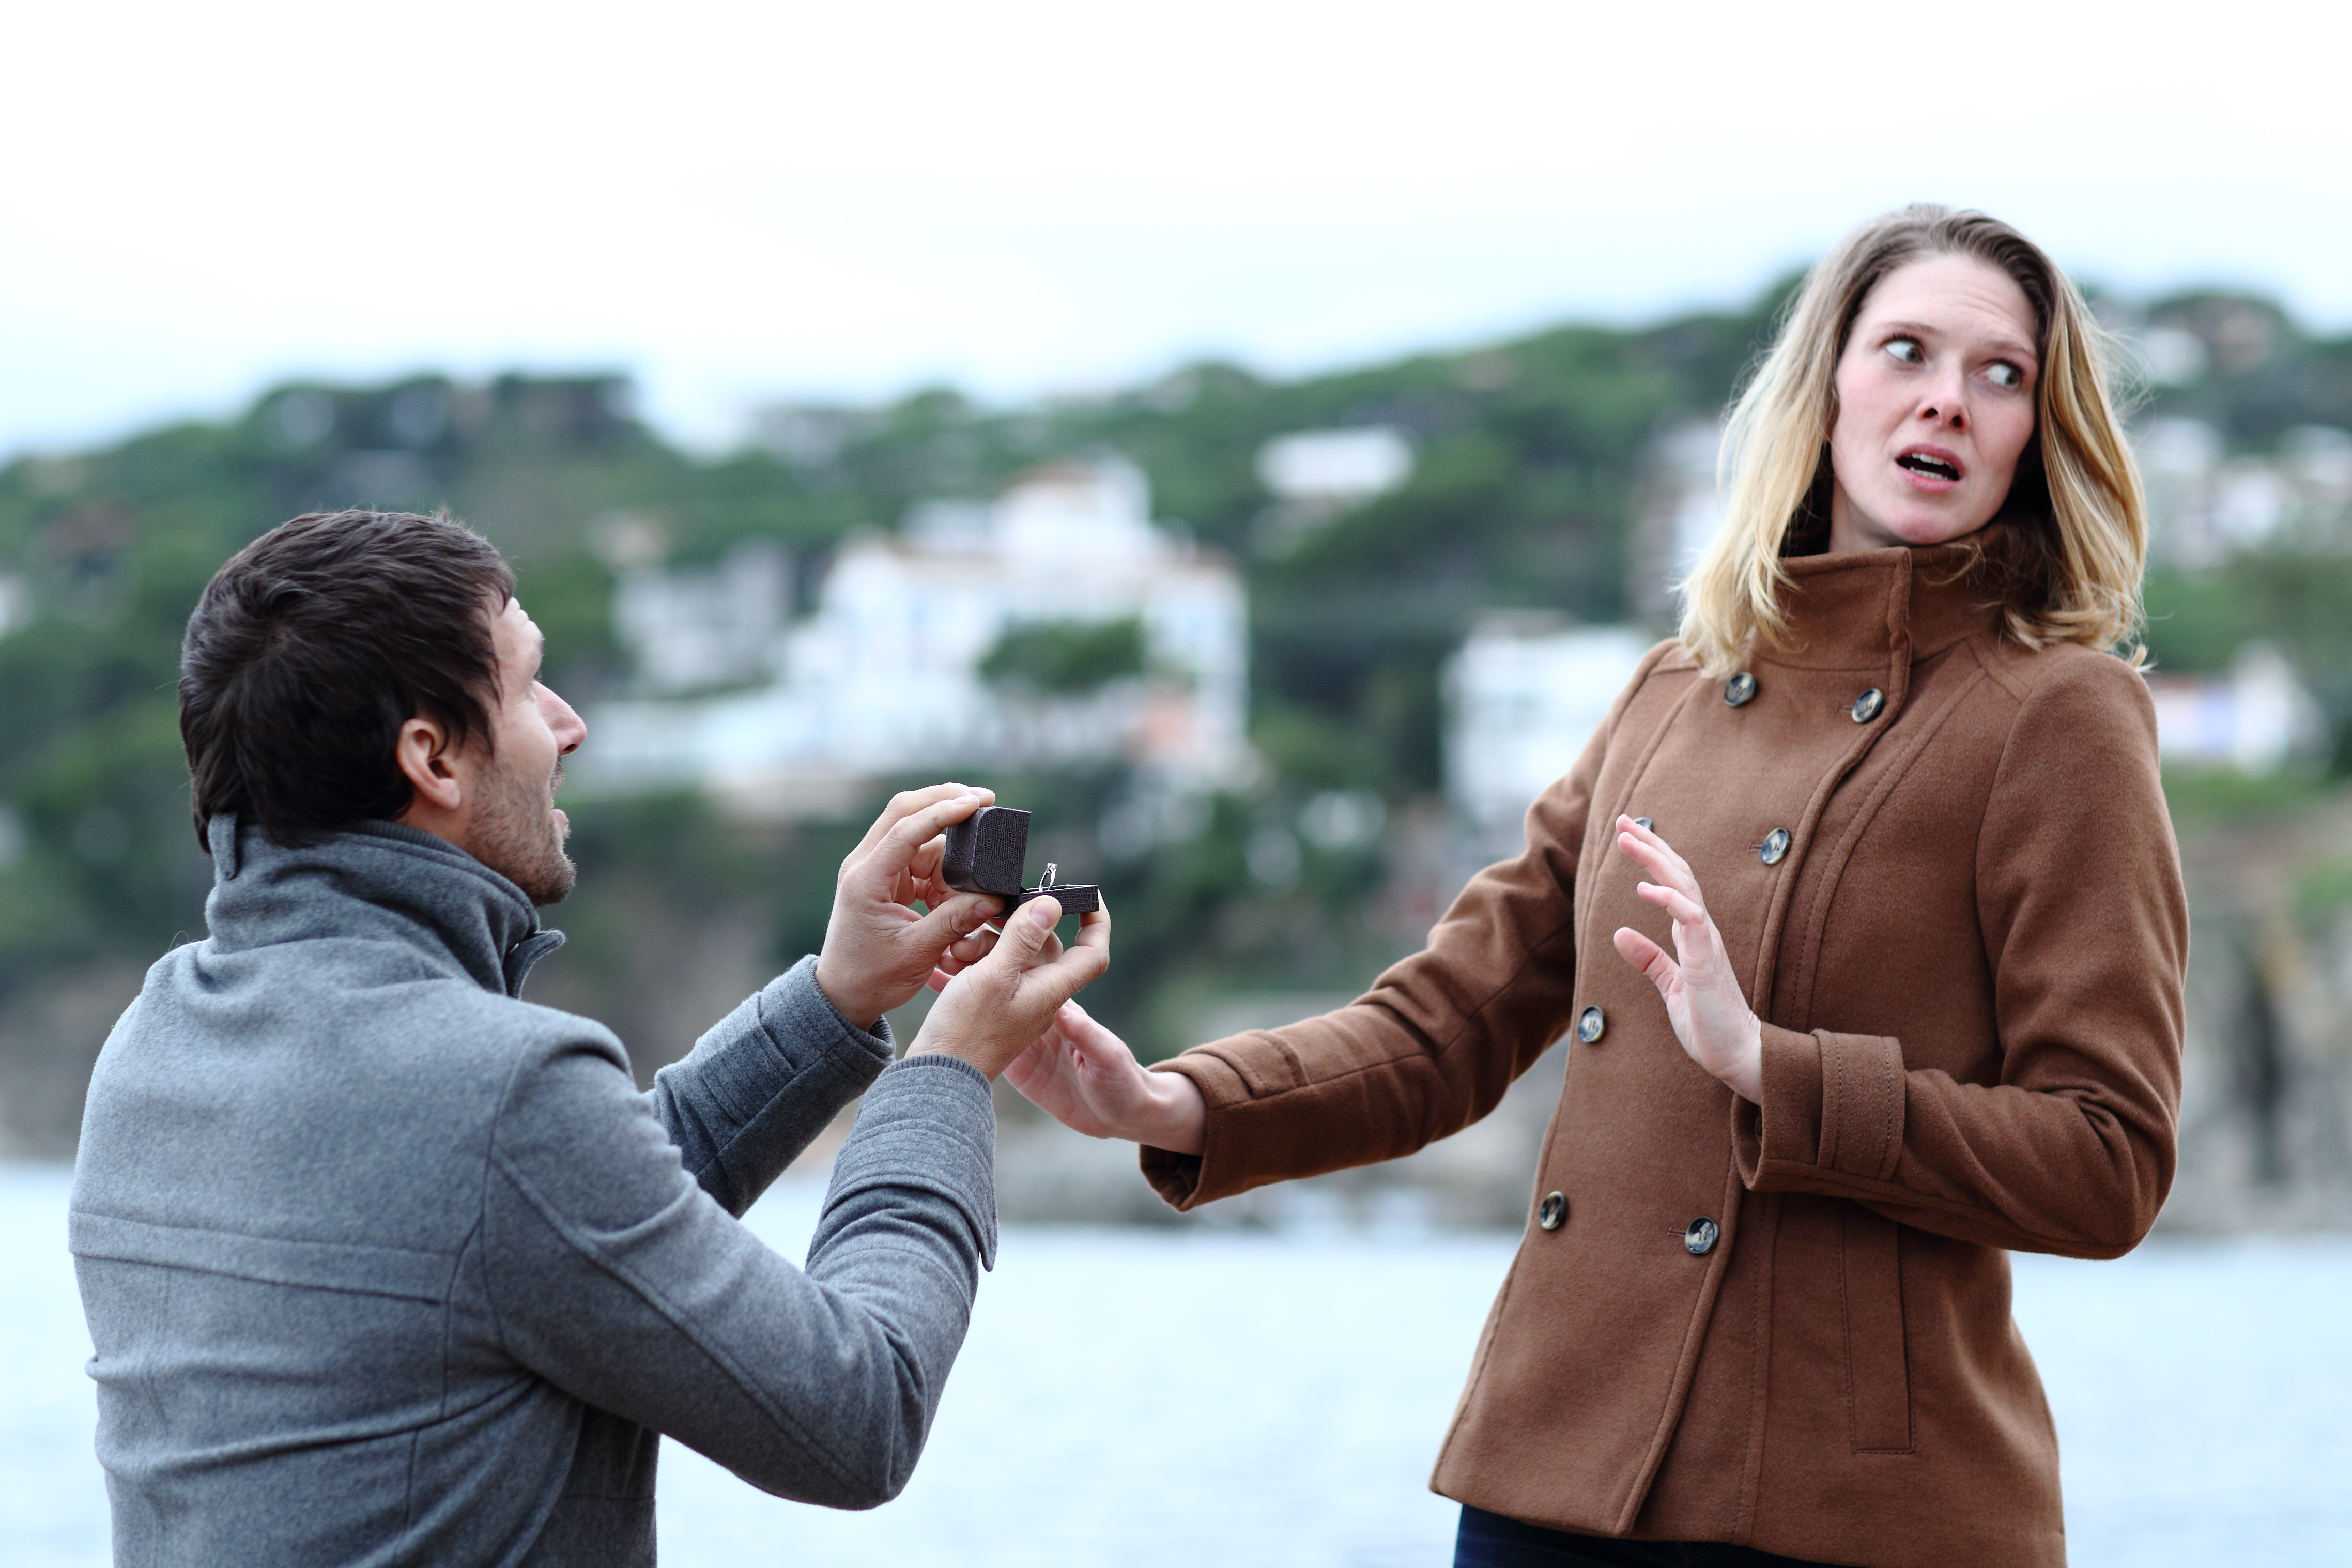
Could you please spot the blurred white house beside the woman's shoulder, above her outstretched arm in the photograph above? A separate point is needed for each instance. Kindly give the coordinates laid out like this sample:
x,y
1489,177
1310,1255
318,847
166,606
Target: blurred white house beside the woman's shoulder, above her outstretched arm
x,y
1523,697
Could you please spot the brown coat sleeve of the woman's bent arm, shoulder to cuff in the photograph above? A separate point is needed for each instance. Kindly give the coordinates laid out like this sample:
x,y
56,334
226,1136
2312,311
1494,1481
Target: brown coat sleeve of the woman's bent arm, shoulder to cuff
x,y
2085,927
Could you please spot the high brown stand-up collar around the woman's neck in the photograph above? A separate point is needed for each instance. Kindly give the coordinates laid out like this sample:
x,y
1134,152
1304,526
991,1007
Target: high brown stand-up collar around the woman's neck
x,y
1869,610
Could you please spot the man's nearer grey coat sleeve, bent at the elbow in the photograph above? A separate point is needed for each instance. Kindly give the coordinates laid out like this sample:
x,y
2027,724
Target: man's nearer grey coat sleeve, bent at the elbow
x,y
613,1275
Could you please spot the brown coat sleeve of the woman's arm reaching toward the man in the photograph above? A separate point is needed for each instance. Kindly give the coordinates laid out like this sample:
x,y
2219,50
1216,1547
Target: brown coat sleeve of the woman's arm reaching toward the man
x,y
1429,1050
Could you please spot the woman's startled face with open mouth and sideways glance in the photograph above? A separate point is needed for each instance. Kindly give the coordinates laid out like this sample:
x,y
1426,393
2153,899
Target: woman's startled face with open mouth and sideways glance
x,y
1935,406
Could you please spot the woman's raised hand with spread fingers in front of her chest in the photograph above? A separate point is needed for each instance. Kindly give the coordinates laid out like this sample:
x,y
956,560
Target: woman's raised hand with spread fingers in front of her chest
x,y
1702,993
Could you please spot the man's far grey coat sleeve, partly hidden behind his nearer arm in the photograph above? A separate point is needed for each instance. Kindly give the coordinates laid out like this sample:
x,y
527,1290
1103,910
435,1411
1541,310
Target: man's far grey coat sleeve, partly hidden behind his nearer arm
x,y
763,1085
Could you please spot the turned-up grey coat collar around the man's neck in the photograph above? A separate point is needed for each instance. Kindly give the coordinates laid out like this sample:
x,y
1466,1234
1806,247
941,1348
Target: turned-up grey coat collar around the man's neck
x,y
375,883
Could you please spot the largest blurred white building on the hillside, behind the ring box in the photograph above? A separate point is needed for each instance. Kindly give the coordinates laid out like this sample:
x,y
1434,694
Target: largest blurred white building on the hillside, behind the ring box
x,y
904,666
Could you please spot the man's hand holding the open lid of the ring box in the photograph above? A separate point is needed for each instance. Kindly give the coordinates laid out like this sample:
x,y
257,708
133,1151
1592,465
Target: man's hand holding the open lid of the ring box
x,y
878,949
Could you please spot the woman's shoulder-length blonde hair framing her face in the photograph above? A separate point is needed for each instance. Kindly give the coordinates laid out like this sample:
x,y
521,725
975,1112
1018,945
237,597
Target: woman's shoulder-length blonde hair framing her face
x,y
2066,570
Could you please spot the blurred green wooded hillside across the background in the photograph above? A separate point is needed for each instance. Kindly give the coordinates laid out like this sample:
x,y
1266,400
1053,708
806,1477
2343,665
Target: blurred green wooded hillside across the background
x,y
1537,481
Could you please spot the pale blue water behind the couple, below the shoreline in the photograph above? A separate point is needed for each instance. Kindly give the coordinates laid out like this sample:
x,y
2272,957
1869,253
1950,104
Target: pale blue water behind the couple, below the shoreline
x,y
1180,1398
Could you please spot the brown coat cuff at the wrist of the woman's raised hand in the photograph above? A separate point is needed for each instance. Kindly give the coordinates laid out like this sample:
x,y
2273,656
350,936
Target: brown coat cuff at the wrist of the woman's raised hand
x,y
1831,1104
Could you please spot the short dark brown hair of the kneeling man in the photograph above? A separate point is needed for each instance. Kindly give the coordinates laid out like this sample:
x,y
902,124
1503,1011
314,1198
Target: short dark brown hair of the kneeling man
x,y
309,652
